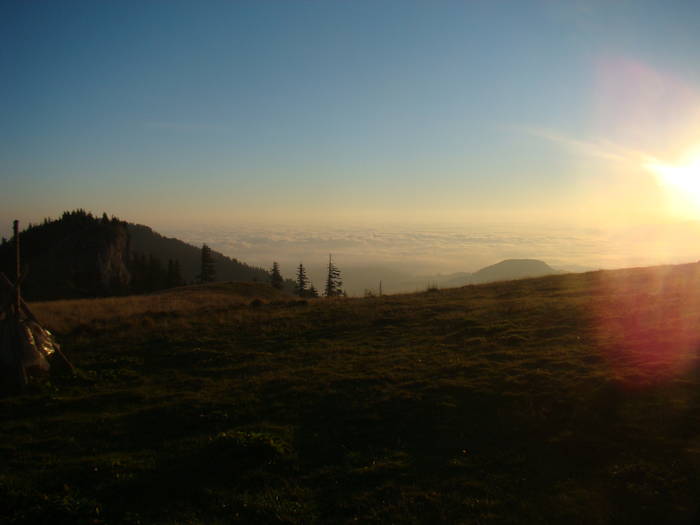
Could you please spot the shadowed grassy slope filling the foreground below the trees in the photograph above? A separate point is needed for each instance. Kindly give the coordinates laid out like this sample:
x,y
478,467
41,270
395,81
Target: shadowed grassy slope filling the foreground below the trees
x,y
571,398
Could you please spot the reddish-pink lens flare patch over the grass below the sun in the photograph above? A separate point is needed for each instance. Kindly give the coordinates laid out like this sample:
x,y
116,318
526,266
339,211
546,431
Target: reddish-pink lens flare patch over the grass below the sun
x,y
647,323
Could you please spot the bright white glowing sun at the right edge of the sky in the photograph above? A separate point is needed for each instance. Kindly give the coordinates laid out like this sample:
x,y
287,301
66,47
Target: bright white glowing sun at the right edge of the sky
x,y
681,181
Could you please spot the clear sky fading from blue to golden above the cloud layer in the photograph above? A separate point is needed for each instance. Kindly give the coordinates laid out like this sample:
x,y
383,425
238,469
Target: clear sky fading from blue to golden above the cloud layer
x,y
388,115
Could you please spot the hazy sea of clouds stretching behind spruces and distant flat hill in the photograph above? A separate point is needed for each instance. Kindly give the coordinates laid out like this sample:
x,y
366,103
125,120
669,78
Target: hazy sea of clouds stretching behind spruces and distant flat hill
x,y
400,256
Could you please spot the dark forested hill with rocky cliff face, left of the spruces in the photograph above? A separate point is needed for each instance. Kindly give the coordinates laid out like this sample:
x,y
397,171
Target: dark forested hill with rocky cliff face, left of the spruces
x,y
80,255
